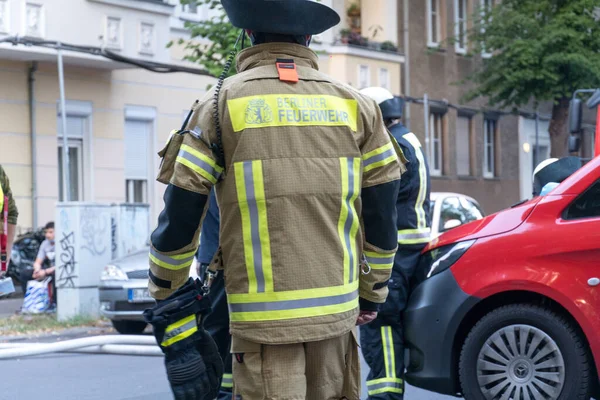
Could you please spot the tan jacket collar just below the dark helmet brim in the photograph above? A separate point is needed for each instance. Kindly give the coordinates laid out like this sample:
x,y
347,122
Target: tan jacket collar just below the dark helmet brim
x,y
266,54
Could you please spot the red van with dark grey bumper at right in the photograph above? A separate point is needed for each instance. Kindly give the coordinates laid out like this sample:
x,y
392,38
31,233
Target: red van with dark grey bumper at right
x,y
508,307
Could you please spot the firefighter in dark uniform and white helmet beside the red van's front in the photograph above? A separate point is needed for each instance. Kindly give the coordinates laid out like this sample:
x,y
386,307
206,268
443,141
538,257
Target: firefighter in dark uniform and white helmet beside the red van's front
x,y
382,341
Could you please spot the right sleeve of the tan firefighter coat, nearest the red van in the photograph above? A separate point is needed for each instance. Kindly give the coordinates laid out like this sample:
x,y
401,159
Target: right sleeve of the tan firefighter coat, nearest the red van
x,y
383,163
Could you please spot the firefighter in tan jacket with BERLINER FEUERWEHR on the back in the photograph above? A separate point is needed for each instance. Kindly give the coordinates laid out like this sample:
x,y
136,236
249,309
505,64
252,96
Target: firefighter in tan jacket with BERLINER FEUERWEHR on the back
x,y
306,178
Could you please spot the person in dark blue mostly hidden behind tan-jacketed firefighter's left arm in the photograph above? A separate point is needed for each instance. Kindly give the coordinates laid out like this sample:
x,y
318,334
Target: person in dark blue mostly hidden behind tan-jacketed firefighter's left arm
x,y
217,321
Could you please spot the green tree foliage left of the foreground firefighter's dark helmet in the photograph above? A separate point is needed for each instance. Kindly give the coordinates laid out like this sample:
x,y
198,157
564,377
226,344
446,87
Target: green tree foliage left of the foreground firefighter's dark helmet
x,y
212,40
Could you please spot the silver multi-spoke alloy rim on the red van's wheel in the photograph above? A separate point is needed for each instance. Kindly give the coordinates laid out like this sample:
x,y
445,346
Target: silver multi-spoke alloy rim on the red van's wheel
x,y
520,362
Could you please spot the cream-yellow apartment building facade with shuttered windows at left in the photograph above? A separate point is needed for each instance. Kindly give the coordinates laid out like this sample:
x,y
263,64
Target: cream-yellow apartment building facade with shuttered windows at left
x,y
119,116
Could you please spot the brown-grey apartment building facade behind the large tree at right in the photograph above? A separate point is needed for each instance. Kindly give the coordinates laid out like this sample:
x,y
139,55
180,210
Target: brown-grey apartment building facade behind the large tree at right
x,y
472,148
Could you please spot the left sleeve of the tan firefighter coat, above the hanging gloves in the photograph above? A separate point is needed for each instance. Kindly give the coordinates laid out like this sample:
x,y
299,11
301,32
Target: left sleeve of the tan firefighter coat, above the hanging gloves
x,y
190,169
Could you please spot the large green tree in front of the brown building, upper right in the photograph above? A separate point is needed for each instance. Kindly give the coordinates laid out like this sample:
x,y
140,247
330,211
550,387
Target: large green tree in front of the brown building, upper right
x,y
543,50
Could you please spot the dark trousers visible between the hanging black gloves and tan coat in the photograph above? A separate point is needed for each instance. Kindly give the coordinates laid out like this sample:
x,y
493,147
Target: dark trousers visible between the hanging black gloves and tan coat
x,y
217,324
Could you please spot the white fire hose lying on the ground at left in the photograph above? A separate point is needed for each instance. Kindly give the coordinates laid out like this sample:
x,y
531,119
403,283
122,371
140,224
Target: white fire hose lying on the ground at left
x,y
111,344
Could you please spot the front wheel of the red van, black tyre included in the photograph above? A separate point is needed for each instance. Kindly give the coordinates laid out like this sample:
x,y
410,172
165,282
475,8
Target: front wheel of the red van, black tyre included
x,y
524,352
